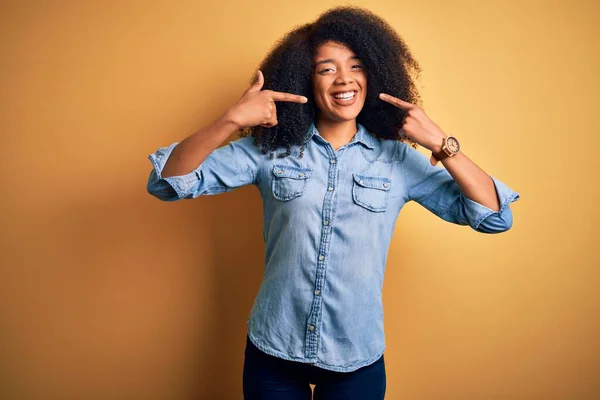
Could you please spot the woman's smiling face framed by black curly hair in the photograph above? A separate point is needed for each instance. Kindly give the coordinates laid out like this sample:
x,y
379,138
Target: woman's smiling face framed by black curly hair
x,y
339,82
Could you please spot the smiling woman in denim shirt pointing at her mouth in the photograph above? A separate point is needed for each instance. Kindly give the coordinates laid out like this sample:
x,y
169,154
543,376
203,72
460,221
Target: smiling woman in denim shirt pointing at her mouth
x,y
329,127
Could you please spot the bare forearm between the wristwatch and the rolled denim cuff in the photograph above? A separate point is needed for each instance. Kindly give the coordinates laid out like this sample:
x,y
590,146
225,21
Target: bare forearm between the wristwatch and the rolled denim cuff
x,y
474,182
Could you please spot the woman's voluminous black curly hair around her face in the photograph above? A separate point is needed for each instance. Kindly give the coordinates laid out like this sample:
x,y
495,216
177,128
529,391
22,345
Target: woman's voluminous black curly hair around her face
x,y
288,67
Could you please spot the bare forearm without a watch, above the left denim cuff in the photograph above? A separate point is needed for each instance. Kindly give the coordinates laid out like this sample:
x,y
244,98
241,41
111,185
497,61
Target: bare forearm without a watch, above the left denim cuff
x,y
194,149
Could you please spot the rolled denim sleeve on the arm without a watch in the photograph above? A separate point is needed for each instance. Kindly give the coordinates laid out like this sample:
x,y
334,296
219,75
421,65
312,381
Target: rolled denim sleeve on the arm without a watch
x,y
226,168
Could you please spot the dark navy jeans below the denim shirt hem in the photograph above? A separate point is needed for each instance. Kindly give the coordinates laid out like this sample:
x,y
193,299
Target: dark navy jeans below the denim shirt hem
x,y
267,377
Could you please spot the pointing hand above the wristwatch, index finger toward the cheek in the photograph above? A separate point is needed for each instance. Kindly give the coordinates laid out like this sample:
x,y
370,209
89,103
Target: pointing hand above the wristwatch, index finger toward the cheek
x,y
417,126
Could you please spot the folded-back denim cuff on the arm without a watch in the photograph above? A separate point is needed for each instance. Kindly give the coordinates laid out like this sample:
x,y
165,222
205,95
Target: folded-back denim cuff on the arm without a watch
x,y
181,184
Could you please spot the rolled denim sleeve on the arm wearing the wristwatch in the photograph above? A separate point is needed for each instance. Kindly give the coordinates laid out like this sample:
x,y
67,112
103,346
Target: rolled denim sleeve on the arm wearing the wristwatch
x,y
435,189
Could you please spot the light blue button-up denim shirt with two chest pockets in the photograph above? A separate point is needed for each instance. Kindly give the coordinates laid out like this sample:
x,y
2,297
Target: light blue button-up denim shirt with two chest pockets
x,y
328,221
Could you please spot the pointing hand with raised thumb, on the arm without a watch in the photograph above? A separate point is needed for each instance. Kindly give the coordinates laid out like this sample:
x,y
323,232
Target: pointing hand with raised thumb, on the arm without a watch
x,y
257,107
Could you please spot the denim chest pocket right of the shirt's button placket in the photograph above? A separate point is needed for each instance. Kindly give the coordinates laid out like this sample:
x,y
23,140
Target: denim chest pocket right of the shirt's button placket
x,y
371,192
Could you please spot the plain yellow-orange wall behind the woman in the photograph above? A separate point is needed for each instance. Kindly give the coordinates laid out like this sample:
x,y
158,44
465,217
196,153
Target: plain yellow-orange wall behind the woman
x,y
108,293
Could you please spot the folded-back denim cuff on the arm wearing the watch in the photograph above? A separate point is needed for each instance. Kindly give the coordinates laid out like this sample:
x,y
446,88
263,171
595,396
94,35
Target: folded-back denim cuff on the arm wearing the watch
x,y
499,221
